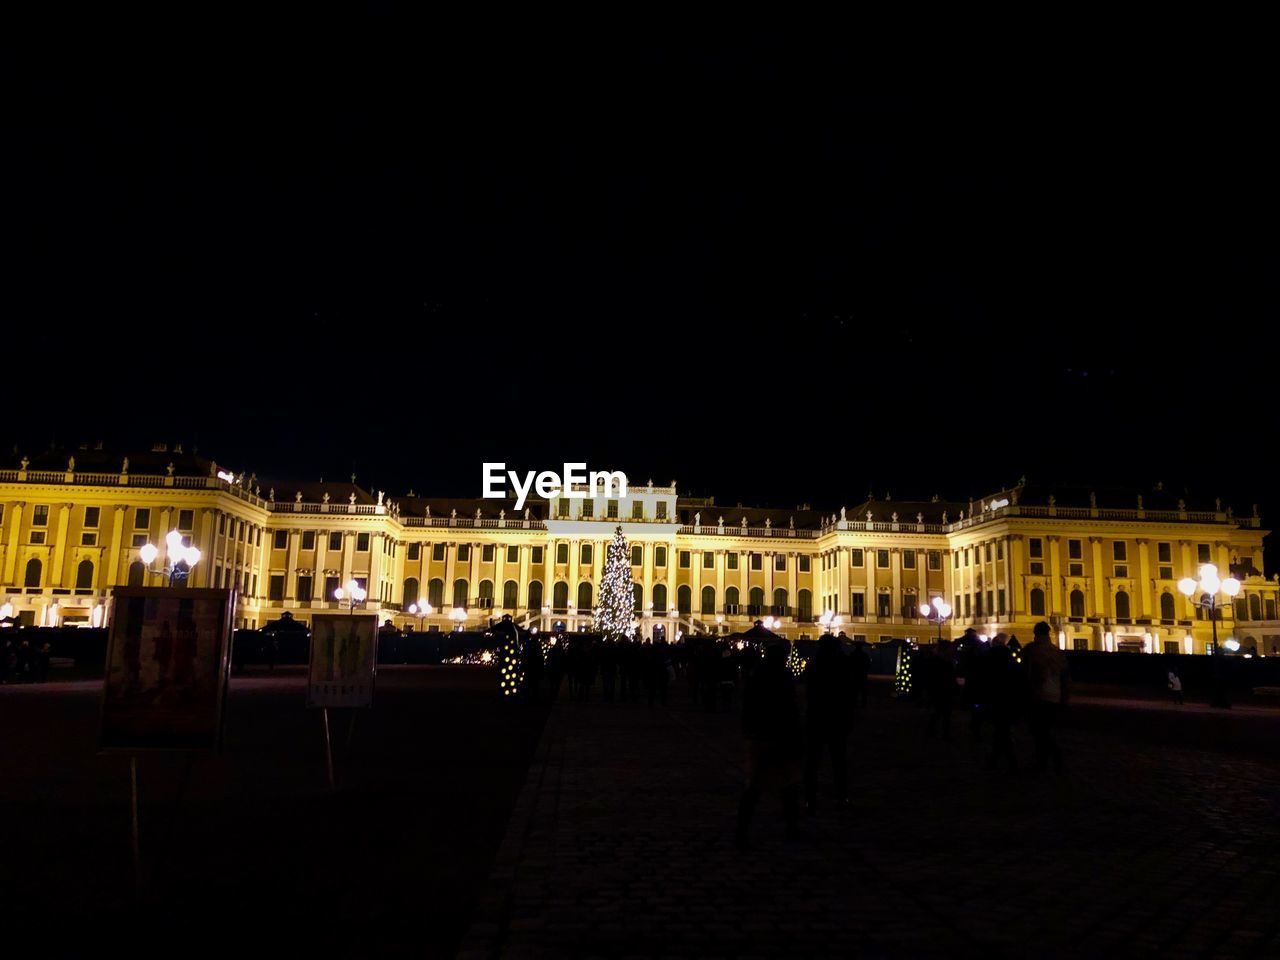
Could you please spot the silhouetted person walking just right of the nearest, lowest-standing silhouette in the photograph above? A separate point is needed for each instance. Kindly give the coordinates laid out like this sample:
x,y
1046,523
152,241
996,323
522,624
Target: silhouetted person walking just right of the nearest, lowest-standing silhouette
x,y
829,715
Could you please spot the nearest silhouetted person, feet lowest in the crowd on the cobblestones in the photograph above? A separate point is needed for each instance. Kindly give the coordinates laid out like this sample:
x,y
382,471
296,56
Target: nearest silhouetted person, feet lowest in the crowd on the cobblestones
x,y
771,726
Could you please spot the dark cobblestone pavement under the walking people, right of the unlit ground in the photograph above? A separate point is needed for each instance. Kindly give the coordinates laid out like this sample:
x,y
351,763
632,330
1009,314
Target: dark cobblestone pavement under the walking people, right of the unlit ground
x,y
621,845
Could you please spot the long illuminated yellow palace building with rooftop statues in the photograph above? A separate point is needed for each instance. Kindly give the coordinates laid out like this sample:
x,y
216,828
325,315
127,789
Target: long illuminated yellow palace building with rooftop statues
x,y
1101,568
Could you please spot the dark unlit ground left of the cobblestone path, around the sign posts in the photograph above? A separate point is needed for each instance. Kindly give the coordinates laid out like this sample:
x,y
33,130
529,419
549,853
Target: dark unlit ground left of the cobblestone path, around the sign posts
x,y
248,854
